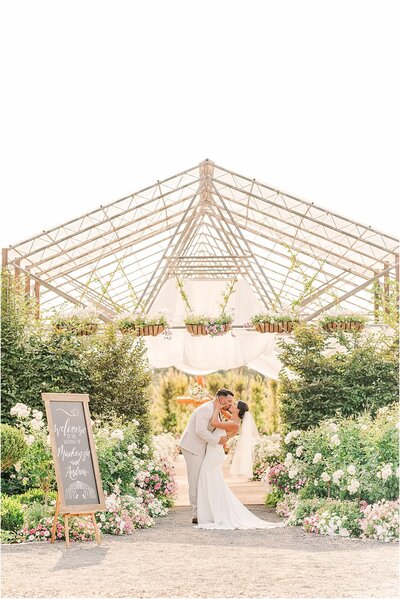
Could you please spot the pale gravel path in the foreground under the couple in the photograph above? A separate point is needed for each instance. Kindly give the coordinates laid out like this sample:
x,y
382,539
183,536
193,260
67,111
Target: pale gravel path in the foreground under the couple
x,y
175,559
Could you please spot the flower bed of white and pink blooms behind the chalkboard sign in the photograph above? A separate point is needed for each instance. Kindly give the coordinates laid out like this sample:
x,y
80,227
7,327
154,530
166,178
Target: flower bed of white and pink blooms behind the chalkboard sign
x,y
138,481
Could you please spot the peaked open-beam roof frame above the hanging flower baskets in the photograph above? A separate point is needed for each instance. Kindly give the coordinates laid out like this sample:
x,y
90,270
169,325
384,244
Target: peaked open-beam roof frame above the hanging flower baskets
x,y
207,222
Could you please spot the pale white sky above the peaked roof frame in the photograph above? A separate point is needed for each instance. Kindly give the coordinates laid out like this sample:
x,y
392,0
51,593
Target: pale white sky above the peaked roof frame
x,y
100,99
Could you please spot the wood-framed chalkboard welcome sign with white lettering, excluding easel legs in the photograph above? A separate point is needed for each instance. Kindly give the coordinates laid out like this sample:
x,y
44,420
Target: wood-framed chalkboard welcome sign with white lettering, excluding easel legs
x,y
77,471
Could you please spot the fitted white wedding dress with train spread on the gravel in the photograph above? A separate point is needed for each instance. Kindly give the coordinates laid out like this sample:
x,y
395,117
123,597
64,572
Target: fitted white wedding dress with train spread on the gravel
x,y
217,507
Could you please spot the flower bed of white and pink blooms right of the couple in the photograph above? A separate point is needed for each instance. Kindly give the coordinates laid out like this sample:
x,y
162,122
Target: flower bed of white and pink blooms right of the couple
x,y
340,478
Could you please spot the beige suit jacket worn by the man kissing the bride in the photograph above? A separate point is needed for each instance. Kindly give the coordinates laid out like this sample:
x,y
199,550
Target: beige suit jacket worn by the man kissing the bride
x,y
197,432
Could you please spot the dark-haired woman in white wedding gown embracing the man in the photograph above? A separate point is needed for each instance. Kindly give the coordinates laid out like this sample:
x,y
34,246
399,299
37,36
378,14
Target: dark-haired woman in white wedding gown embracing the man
x,y
217,506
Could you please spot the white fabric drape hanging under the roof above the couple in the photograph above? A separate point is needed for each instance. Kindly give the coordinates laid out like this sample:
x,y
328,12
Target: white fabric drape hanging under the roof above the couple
x,y
203,355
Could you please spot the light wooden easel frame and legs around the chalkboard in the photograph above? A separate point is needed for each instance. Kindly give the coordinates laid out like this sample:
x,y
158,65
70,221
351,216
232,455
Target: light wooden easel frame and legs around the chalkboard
x,y
61,507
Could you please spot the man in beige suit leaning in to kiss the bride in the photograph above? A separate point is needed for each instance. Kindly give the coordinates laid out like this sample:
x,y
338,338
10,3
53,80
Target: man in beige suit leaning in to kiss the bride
x,y
195,438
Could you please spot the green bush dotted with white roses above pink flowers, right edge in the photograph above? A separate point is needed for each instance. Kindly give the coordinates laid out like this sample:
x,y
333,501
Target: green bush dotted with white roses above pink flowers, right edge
x,y
350,459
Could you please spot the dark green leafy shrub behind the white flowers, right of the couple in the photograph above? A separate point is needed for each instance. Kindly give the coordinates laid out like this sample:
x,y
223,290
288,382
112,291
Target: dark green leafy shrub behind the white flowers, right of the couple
x,y
364,376
